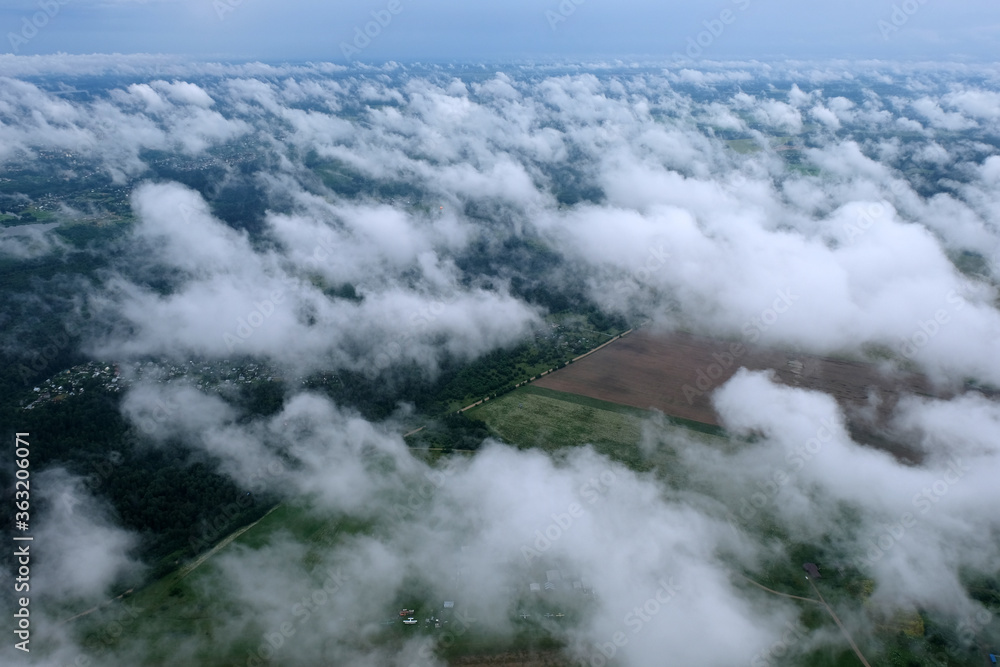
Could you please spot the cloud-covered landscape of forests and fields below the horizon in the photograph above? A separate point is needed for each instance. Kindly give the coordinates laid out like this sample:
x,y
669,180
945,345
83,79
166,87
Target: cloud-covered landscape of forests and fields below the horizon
x,y
274,272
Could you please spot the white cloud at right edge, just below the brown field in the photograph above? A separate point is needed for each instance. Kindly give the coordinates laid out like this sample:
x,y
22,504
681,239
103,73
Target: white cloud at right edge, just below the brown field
x,y
921,526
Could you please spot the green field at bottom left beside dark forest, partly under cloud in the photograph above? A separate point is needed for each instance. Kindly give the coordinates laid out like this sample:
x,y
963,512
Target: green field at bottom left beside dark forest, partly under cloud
x,y
158,619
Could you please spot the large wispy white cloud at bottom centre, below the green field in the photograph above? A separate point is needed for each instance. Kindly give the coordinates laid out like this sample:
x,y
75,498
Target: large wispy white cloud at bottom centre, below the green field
x,y
479,531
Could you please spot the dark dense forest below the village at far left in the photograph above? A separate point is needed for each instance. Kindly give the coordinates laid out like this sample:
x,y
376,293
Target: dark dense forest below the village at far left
x,y
170,494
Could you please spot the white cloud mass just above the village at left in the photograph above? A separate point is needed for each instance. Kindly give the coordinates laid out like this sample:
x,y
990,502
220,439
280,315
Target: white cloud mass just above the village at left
x,y
237,300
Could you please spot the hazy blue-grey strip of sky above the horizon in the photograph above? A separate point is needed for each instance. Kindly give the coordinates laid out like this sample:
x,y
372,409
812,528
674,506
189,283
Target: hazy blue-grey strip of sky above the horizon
x,y
436,30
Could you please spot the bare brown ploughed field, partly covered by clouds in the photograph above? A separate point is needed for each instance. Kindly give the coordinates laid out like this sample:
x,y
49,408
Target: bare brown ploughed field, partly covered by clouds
x,y
676,373
